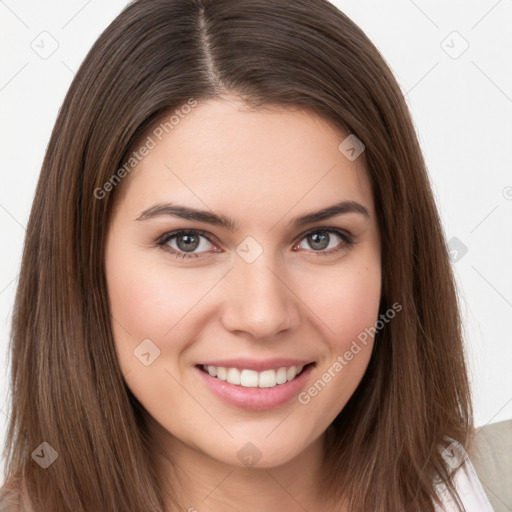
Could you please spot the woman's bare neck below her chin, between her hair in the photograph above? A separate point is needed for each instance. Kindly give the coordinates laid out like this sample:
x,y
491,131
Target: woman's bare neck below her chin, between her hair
x,y
203,484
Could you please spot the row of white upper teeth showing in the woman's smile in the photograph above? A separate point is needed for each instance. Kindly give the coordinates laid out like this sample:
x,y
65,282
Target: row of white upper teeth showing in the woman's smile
x,y
253,379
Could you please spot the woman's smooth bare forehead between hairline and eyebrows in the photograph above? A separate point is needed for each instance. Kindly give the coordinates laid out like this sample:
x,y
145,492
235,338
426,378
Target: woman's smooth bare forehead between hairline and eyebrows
x,y
221,154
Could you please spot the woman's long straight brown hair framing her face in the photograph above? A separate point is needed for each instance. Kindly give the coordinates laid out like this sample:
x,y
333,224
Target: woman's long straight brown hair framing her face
x,y
67,387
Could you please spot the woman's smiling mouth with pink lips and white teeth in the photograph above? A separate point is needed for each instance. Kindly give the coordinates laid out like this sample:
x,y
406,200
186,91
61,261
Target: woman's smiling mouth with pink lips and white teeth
x,y
250,389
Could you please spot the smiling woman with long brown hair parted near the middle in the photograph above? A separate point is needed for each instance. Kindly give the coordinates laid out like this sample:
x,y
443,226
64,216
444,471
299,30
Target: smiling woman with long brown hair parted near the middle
x,y
235,290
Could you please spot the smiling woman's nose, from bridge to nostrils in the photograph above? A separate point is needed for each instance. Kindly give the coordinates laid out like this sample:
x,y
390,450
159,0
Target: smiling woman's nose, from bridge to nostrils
x,y
259,299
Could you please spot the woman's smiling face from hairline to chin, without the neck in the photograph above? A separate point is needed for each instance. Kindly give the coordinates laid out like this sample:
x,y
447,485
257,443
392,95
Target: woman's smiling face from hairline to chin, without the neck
x,y
245,291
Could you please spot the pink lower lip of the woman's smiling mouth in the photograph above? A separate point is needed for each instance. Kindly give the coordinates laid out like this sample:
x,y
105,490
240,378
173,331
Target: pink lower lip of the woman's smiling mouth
x,y
256,399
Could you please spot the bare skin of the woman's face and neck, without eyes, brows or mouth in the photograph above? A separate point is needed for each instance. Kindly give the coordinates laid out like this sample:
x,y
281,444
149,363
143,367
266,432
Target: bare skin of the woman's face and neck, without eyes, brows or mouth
x,y
261,168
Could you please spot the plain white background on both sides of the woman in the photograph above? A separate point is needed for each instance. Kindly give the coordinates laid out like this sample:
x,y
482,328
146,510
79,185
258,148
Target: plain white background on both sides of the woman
x,y
462,109
